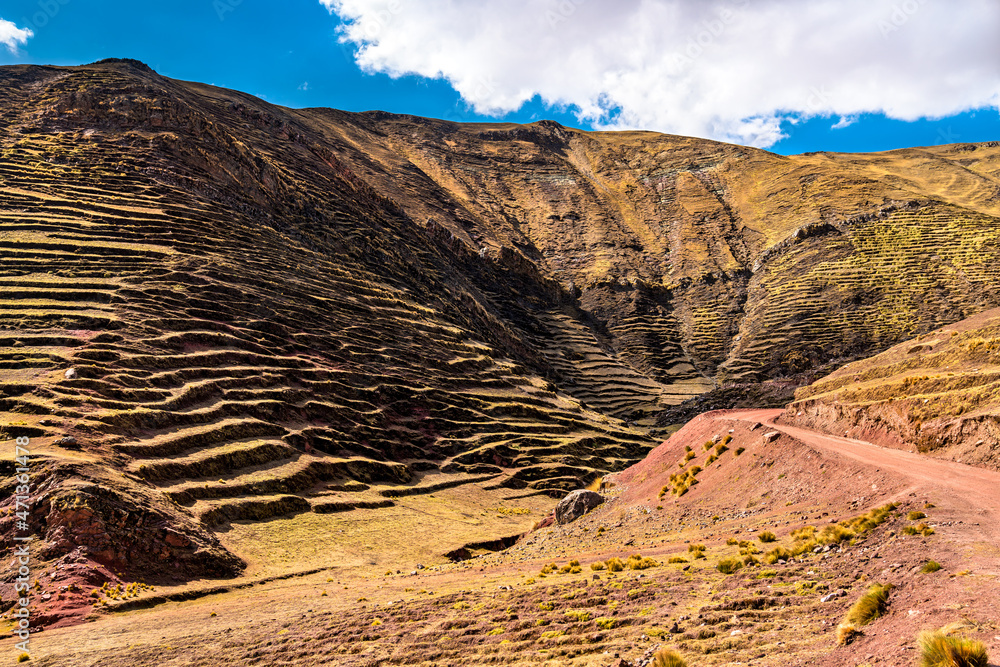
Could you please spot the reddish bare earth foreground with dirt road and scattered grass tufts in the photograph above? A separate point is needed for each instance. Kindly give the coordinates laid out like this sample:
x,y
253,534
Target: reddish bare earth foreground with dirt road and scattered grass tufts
x,y
497,608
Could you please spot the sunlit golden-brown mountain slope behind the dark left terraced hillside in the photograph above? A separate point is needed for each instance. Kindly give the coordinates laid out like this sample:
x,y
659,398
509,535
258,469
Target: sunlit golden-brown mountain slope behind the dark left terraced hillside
x,y
703,260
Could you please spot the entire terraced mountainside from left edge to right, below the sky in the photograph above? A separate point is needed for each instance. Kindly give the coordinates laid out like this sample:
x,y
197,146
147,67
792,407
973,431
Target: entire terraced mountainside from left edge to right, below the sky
x,y
223,322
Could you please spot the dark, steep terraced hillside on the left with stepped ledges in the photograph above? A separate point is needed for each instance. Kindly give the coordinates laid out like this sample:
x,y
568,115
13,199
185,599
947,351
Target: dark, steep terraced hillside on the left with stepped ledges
x,y
249,332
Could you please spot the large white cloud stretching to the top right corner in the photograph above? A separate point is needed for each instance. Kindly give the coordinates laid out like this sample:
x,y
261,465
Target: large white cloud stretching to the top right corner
x,y
724,69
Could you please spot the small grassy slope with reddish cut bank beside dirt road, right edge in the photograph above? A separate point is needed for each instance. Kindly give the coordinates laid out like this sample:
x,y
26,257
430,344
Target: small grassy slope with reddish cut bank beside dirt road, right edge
x,y
938,394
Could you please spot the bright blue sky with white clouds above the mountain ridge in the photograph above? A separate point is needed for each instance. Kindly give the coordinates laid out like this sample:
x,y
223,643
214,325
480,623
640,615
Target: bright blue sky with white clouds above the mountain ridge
x,y
291,53
